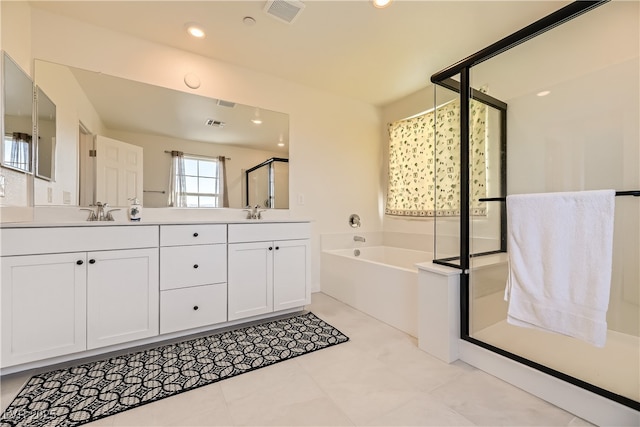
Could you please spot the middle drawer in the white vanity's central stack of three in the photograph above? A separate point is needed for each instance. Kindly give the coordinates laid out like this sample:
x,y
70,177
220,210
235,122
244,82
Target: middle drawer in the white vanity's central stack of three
x,y
183,266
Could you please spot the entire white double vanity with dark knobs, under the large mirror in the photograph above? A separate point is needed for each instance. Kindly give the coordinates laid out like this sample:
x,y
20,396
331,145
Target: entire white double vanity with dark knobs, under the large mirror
x,y
86,289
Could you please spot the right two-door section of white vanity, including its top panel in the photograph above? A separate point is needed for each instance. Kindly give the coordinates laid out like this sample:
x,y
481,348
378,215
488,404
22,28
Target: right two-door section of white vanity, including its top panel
x,y
269,268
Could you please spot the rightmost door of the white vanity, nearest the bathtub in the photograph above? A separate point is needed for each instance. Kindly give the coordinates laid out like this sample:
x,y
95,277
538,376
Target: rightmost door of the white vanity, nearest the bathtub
x,y
291,275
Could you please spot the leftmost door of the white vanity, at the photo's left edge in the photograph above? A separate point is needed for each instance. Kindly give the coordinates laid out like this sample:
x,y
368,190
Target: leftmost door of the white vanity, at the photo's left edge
x,y
43,306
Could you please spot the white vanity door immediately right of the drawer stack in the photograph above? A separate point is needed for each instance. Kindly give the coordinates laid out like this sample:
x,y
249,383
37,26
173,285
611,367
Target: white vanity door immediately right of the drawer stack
x,y
250,286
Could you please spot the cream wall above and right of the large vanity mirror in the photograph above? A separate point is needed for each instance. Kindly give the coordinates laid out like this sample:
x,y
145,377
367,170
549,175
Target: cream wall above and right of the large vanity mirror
x,y
334,141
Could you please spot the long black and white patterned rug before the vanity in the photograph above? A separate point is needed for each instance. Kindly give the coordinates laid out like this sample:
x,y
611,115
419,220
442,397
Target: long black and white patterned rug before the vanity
x,y
85,393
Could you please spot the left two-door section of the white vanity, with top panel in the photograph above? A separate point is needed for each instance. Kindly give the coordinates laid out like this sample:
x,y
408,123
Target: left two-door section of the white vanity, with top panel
x,y
69,289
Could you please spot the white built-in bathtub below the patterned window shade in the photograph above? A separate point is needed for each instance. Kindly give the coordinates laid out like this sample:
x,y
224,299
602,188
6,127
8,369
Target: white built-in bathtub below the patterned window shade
x,y
381,281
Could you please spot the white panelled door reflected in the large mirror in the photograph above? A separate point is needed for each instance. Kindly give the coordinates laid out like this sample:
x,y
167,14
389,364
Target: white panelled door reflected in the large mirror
x,y
118,171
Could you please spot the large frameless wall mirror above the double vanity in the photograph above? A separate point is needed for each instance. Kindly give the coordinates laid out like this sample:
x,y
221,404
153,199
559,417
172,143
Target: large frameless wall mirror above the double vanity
x,y
118,139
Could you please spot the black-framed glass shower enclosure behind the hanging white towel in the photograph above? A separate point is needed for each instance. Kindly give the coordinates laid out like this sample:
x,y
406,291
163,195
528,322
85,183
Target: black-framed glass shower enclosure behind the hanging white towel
x,y
561,113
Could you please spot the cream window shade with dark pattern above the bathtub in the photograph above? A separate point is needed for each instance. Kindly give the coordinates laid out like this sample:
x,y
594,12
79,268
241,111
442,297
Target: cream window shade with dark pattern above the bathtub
x,y
424,162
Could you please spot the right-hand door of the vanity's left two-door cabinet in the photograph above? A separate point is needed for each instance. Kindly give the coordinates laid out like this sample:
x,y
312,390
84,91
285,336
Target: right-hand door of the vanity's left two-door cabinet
x,y
122,296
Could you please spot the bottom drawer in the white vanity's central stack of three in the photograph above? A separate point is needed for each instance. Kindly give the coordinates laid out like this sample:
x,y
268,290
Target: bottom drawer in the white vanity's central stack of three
x,y
193,307
